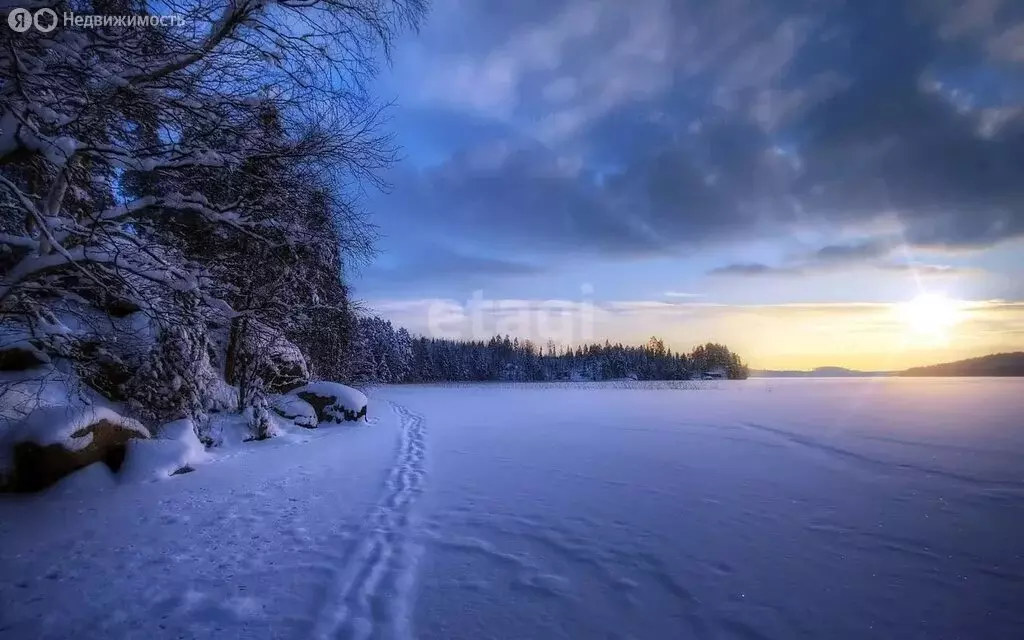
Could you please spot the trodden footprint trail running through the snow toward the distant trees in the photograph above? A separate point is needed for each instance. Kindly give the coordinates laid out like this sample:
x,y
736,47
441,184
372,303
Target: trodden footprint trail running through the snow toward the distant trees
x,y
371,594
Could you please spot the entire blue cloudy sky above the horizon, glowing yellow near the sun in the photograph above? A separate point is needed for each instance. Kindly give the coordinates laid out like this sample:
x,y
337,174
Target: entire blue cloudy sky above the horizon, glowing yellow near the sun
x,y
744,153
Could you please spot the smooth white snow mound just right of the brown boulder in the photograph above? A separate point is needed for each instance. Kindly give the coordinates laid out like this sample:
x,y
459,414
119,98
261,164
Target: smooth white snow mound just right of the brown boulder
x,y
176,450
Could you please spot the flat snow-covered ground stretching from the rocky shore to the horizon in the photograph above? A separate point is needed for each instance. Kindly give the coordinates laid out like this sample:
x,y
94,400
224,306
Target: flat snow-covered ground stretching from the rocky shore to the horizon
x,y
877,508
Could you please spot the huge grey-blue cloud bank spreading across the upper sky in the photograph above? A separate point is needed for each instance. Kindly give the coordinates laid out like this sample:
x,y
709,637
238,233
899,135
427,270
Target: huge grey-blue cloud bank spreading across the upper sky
x,y
652,127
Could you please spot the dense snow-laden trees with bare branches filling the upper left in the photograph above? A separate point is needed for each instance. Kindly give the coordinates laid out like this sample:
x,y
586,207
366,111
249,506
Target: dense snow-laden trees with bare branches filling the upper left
x,y
207,160
